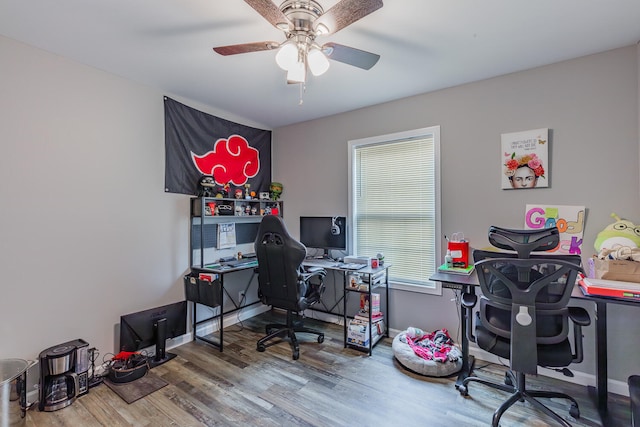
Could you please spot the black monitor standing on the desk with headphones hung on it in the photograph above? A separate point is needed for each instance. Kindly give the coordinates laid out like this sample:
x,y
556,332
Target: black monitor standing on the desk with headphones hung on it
x,y
324,232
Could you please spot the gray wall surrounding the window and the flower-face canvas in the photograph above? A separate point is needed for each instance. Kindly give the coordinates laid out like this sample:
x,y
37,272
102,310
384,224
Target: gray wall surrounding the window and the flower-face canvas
x,y
591,106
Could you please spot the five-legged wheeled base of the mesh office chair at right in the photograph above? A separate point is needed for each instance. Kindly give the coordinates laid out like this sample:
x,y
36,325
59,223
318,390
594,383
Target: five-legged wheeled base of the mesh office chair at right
x,y
515,384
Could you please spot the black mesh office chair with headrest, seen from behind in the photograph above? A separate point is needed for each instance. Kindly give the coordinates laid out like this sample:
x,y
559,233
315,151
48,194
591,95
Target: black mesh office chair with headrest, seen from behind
x,y
523,313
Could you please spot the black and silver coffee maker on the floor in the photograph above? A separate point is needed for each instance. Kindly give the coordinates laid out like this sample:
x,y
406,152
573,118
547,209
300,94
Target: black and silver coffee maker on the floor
x,y
64,374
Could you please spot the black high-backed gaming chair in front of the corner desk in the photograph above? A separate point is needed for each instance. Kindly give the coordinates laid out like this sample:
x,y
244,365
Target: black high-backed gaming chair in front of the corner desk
x,y
283,283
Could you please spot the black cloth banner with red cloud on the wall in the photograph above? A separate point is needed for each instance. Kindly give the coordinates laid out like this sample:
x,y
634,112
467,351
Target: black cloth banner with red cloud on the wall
x,y
198,143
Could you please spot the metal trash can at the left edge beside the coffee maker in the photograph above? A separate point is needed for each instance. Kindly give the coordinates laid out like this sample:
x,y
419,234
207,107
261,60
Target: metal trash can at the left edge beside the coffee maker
x,y
13,399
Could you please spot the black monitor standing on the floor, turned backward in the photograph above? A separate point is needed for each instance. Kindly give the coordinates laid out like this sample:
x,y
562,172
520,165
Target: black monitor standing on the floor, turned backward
x,y
153,327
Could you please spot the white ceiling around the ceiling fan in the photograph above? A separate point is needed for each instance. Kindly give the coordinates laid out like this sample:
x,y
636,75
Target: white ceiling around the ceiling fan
x,y
424,45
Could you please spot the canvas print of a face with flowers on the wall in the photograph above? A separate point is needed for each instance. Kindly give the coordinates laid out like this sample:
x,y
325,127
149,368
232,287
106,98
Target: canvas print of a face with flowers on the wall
x,y
525,159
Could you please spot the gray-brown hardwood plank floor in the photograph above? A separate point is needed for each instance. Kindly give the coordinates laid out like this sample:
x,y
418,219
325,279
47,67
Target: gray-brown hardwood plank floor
x,y
328,386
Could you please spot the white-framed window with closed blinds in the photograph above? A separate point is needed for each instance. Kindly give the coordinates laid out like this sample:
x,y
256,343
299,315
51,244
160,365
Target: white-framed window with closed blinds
x,y
394,202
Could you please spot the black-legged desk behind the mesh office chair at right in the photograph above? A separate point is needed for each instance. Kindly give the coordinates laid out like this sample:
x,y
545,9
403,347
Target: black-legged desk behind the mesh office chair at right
x,y
600,391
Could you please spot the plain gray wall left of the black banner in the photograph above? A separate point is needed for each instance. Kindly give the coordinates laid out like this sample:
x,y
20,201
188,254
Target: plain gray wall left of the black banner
x,y
87,231
